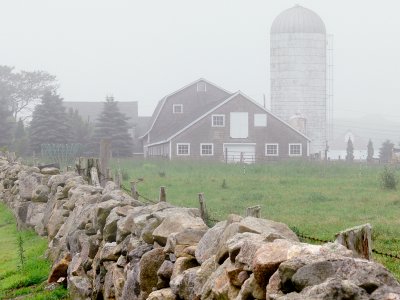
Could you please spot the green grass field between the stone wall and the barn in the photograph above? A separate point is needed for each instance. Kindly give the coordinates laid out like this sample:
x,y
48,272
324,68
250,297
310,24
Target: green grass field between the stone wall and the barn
x,y
318,199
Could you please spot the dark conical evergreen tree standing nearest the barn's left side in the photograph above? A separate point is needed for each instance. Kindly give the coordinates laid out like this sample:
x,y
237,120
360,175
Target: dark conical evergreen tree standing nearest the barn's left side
x,y
113,124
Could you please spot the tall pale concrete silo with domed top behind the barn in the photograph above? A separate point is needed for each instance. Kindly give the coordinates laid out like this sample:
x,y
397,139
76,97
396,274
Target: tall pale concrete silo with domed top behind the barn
x,y
298,72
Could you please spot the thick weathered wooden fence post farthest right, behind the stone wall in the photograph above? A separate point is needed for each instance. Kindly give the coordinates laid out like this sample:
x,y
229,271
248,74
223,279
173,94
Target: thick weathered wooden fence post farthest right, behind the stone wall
x,y
357,239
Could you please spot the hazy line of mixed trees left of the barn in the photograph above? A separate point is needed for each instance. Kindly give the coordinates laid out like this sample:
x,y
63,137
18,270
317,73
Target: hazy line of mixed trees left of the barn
x,y
32,114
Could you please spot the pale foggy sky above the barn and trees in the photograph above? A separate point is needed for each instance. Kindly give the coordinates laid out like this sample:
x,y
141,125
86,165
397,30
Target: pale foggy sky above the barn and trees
x,y
143,50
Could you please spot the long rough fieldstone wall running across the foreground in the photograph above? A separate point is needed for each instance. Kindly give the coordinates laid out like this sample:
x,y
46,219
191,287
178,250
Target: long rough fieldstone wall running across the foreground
x,y
106,245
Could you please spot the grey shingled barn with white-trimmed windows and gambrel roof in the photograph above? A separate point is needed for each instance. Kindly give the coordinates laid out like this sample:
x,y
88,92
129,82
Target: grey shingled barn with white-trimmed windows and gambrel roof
x,y
205,122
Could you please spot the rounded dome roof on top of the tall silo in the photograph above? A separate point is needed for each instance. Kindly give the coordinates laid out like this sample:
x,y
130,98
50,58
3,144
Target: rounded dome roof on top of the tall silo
x,y
298,19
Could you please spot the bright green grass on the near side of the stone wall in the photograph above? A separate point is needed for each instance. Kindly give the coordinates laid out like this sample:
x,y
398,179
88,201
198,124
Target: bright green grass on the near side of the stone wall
x,y
28,280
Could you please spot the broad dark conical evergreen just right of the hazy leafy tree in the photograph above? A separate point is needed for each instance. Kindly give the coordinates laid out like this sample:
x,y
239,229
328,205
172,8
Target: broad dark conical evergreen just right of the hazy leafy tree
x,y
49,123
